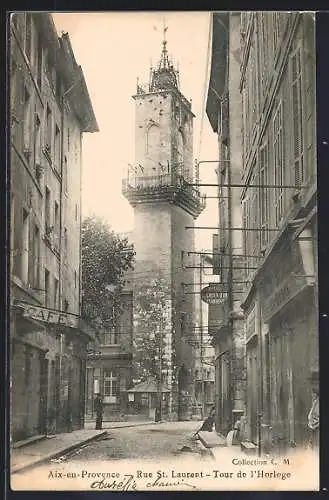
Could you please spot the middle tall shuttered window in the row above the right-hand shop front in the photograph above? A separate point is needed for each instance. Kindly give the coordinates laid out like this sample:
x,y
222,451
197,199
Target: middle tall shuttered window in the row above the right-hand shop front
x,y
278,164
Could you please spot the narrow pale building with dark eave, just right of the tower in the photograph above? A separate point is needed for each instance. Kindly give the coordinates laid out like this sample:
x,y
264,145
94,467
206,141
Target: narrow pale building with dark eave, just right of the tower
x,y
226,325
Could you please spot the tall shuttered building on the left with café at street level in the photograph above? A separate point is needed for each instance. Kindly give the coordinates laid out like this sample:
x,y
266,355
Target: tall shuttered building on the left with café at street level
x,y
50,109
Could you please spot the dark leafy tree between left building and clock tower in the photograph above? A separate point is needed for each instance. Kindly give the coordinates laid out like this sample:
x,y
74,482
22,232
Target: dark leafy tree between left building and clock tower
x,y
106,257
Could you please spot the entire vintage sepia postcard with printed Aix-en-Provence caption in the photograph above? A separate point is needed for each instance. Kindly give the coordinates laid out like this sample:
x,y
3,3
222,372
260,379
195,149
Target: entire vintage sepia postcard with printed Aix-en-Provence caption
x,y
163,251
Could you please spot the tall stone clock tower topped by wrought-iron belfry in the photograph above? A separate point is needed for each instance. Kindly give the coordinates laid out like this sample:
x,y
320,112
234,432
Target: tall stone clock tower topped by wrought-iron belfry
x,y
165,204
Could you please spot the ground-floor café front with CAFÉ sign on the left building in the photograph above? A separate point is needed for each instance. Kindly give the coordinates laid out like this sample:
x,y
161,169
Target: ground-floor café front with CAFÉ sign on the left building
x,y
47,371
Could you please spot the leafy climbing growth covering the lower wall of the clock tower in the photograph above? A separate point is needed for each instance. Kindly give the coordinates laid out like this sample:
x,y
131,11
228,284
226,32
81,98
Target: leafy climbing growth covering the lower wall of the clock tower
x,y
152,338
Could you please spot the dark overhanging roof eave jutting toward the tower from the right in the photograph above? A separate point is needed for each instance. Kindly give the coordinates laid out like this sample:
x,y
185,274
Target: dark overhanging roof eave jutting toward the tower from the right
x,y
218,71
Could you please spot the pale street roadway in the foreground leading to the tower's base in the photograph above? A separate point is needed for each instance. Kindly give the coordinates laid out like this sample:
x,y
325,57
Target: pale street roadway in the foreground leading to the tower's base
x,y
147,442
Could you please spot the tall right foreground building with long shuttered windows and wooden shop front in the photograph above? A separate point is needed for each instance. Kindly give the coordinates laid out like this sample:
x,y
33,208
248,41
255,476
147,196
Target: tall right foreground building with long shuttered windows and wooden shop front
x,y
277,85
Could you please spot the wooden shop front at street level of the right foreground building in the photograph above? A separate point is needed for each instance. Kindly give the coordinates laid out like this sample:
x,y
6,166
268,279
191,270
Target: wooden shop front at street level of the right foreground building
x,y
289,326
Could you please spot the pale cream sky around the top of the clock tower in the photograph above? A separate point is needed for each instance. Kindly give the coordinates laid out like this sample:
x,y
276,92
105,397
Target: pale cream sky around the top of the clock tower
x,y
114,49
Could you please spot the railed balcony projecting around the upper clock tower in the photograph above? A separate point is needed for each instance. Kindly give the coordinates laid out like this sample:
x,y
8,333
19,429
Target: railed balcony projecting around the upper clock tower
x,y
171,187
